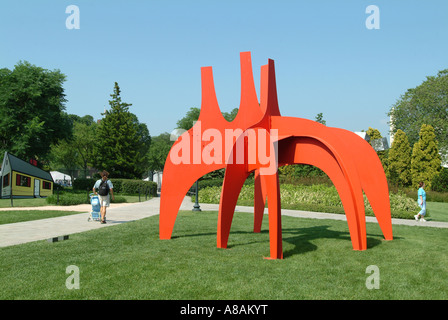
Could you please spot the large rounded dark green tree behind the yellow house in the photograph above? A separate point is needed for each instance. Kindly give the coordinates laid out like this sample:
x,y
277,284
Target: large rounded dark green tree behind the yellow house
x,y
32,116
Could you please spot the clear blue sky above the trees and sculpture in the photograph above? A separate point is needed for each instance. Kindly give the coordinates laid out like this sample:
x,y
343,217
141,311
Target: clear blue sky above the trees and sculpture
x,y
326,59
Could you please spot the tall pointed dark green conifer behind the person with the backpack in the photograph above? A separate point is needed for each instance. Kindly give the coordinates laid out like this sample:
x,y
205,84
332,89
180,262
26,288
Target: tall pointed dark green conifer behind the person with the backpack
x,y
122,142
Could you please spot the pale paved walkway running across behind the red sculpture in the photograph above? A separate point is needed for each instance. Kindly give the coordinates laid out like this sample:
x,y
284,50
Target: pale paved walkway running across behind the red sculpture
x,y
22,232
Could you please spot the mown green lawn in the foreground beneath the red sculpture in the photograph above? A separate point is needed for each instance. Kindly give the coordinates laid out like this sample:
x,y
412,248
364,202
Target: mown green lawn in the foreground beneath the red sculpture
x,y
128,261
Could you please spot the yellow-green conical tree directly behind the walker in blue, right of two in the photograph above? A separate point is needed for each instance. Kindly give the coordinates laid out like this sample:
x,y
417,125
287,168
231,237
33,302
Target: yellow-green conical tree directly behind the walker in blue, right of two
x,y
425,161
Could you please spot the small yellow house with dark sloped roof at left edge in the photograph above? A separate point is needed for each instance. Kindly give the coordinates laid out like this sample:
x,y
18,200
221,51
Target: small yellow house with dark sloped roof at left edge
x,y
21,179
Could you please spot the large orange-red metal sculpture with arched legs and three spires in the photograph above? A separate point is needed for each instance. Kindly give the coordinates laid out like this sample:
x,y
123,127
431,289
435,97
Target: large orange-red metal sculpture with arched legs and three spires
x,y
260,140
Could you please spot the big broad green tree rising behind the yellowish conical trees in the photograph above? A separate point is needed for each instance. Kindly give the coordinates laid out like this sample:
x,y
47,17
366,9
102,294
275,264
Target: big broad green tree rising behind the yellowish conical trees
x,y
424,104
